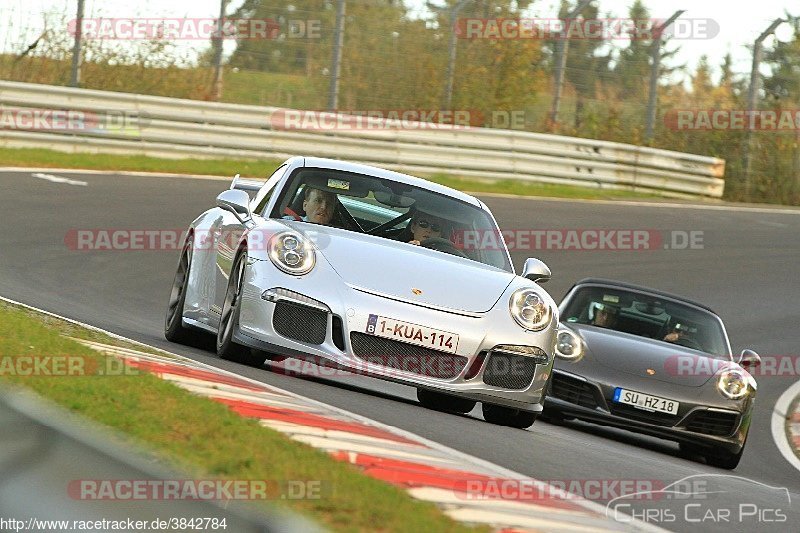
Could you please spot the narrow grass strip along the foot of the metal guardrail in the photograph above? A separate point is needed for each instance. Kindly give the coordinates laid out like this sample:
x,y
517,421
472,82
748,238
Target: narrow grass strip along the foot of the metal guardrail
x,y
37,157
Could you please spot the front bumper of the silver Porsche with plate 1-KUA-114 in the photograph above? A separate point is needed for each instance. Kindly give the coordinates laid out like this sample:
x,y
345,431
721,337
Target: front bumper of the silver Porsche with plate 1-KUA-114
x,y
478,334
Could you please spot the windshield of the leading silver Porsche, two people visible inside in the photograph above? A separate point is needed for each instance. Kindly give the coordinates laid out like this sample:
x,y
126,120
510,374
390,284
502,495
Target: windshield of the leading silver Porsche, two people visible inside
x,y
388,209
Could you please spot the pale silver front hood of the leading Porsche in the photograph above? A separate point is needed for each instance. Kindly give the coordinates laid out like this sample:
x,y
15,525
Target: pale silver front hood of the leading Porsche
x,y
393,269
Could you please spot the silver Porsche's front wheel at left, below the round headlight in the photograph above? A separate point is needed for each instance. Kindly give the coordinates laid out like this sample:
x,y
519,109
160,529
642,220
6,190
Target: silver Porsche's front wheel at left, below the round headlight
x,y
229,319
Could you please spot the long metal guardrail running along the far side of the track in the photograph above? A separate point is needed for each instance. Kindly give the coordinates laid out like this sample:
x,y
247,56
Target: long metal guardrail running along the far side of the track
x,y
176,128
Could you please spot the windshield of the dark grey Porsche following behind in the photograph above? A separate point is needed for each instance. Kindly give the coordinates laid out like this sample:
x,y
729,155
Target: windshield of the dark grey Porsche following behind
x,y
647,316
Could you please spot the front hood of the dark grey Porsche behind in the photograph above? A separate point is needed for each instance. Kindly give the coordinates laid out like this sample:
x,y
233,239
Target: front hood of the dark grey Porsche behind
x,y
634,355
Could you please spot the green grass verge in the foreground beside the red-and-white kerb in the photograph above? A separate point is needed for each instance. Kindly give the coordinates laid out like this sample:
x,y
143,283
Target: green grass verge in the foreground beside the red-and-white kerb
x,y
204,438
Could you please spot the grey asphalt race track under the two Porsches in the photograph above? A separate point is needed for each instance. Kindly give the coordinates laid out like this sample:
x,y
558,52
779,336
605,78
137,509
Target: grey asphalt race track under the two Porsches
x,y
747,269
